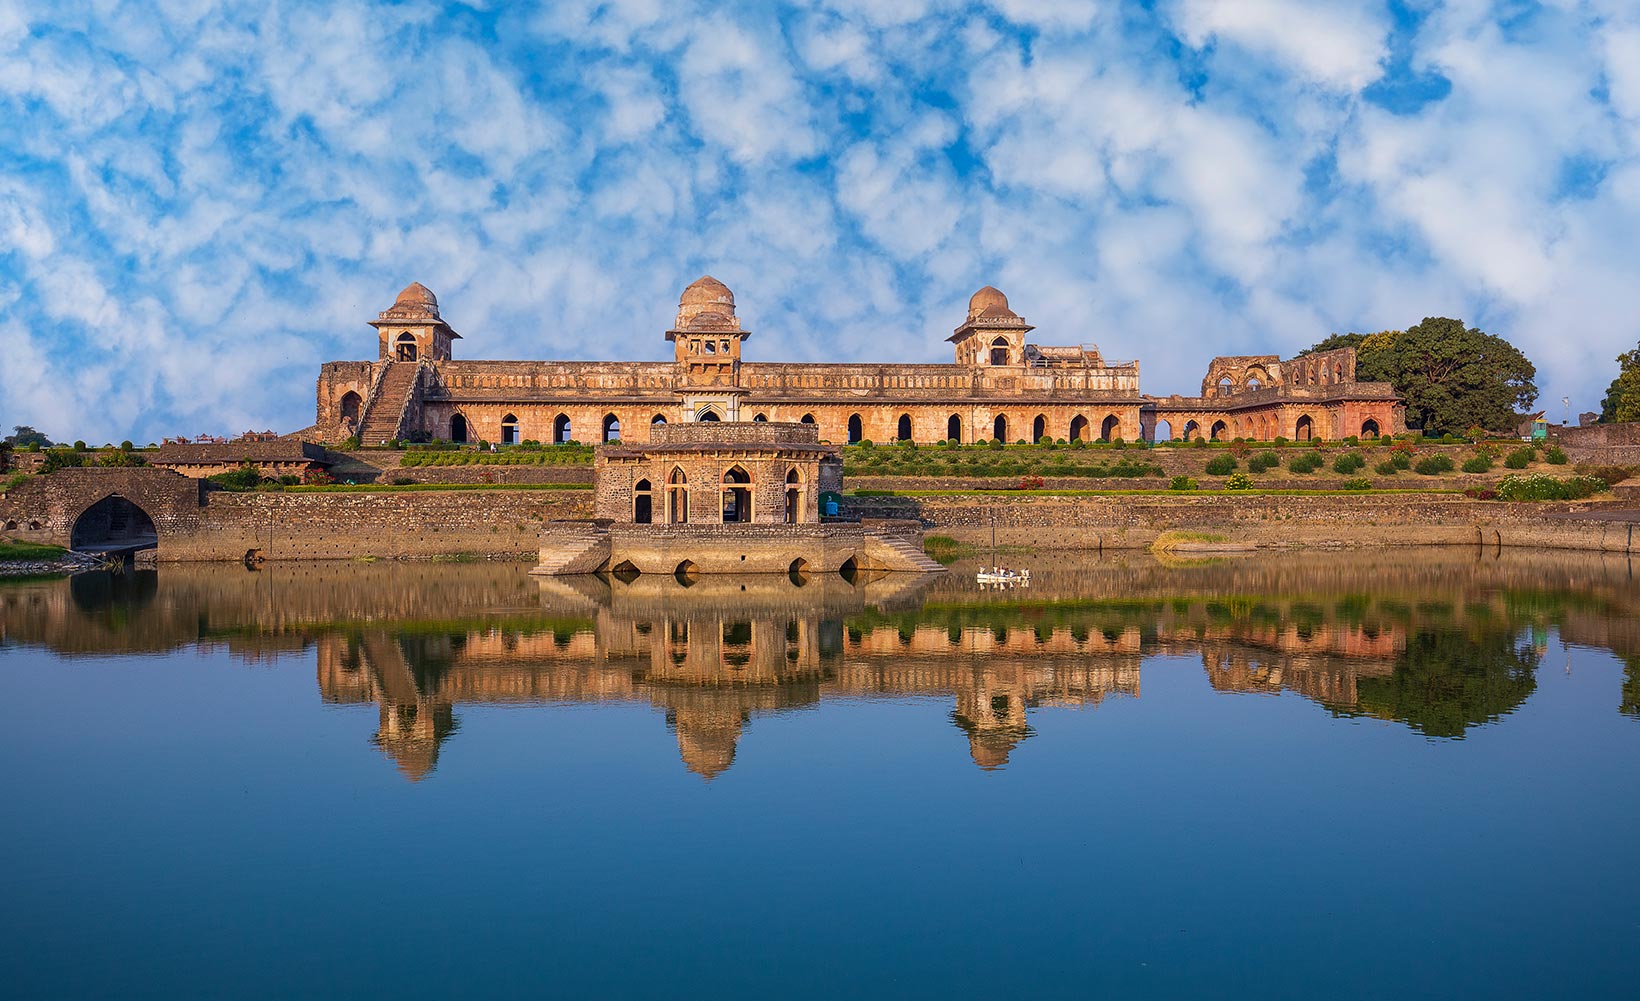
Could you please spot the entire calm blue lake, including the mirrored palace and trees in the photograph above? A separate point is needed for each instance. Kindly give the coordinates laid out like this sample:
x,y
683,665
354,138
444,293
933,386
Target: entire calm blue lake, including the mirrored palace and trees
x,y
1328,775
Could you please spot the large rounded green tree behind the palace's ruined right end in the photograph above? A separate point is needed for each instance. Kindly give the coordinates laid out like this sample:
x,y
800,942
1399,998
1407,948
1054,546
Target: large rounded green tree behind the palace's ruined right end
x,y
1451,375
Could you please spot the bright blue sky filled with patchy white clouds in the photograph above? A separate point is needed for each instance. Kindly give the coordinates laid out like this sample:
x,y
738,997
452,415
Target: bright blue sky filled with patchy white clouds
x,y
203,203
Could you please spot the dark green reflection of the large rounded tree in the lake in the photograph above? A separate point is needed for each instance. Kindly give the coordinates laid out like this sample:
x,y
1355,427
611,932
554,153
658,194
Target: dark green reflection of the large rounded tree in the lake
x,y
1449,682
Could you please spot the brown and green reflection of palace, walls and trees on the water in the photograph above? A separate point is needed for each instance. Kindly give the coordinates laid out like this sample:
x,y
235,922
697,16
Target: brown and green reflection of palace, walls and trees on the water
x,y
1437,644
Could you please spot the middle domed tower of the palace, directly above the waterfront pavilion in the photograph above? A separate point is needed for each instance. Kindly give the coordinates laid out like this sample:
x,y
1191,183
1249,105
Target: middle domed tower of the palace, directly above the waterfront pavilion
x,y
708,339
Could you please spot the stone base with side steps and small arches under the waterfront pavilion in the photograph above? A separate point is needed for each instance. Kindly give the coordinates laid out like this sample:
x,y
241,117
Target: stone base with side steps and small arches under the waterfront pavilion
x,y
616,547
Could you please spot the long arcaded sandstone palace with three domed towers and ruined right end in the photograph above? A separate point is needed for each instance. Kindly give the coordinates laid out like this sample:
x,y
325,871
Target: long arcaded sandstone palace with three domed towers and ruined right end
x,y
1000,386
